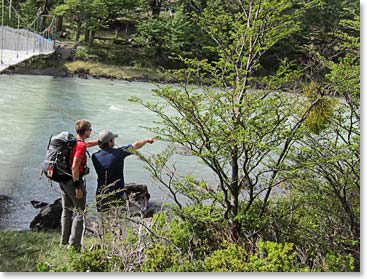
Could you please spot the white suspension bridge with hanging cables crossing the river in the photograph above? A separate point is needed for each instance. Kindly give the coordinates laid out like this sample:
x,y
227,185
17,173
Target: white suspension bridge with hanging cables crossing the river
x,y
21,40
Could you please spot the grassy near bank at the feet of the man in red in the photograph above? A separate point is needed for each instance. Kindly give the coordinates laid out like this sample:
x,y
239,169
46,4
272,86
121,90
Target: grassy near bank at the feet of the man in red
x,y
28,251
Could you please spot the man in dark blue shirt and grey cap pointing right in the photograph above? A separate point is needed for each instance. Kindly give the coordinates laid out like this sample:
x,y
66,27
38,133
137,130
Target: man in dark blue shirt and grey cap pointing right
x,y
109,165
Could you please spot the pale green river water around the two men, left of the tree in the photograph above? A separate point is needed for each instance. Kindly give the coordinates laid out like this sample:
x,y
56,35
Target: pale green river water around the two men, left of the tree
x,y
34,107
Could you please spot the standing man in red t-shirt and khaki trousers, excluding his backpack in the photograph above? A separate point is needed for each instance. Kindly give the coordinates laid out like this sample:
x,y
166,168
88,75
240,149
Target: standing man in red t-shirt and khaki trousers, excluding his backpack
x,y
74,189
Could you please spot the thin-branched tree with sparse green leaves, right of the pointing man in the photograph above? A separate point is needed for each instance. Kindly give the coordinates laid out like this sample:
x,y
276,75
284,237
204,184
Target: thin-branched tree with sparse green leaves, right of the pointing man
x,y
242,135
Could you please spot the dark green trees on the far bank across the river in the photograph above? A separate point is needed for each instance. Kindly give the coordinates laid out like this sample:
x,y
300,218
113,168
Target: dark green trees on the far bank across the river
x,y
166,29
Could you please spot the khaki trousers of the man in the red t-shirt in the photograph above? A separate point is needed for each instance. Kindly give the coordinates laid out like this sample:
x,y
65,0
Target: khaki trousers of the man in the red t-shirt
x,y
72,228
